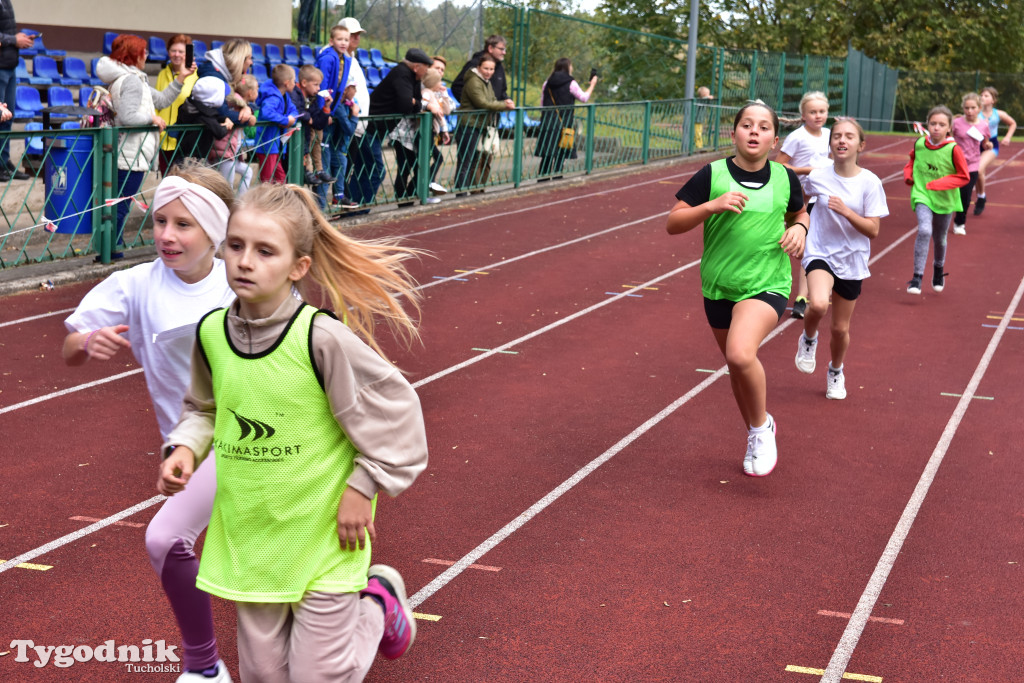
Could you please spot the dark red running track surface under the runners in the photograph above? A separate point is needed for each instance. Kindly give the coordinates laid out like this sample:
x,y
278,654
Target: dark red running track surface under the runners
x,y
665,564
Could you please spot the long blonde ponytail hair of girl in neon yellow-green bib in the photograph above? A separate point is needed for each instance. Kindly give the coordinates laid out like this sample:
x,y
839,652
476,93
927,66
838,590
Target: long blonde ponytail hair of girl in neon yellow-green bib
x,y
360,279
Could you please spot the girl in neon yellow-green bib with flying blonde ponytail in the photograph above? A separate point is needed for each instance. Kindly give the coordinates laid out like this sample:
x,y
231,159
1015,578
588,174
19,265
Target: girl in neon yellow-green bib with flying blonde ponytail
x,y
309,423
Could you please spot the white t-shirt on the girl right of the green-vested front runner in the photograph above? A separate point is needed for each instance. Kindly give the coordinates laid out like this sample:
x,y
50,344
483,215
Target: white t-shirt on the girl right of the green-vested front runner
x,y
831,237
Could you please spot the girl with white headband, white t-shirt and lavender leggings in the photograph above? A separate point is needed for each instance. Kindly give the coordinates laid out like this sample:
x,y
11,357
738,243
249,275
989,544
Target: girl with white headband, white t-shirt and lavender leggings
x,y
153,310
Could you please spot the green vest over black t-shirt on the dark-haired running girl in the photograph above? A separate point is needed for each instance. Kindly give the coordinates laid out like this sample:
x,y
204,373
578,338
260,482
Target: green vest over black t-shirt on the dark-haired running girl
x,y
742,255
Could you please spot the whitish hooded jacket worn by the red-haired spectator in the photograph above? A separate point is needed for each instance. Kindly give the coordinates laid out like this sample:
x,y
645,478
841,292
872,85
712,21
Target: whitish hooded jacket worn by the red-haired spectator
x,y
136,104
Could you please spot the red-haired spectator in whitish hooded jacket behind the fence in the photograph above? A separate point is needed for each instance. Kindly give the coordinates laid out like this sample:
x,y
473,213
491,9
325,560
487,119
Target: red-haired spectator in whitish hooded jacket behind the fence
x,y
136,104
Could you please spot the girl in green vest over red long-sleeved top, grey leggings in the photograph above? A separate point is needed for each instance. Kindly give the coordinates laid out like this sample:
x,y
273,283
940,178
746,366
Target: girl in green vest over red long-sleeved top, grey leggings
x,y
936,169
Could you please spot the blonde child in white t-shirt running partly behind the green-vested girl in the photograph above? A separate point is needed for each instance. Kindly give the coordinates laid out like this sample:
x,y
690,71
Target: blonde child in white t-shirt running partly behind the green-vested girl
x,y
804,150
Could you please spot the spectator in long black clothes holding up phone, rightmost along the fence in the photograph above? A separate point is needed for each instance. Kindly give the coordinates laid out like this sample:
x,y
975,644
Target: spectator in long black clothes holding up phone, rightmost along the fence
x,y
559,95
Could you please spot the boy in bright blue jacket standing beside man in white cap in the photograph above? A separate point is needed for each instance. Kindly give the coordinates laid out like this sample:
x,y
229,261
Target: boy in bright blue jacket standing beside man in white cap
x,y
339,72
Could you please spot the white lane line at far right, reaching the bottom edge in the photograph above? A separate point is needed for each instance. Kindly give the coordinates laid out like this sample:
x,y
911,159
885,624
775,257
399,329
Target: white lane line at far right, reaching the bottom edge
x,y
843,653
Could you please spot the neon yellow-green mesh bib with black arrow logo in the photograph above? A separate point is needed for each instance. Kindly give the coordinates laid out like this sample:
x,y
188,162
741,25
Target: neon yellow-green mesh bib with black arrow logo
x,y
283,461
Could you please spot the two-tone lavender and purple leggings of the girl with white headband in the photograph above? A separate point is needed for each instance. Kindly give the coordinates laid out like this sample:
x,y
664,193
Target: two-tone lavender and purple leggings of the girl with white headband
x,y
169,540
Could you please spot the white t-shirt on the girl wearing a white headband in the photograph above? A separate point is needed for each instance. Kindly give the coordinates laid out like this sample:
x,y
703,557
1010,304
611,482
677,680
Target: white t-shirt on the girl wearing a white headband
x,y
161,313
